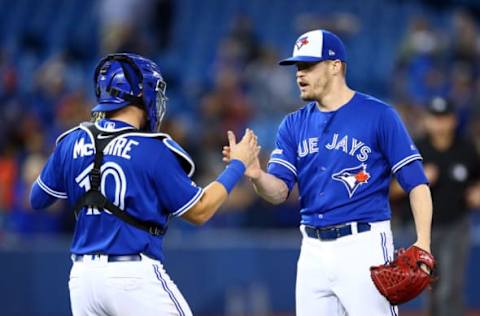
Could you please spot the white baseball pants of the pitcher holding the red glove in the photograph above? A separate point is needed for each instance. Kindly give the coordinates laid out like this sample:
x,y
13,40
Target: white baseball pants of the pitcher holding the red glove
x,y
333,277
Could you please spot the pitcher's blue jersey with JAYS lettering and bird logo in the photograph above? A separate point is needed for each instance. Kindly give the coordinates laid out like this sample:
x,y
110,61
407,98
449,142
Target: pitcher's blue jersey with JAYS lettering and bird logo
x,y
342,160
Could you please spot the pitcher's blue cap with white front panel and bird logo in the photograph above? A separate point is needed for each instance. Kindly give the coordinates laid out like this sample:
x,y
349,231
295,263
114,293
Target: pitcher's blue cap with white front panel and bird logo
x,y
315,46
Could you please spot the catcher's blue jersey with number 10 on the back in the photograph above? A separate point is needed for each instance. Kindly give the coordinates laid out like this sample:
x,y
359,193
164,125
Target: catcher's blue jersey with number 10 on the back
x,y
144,174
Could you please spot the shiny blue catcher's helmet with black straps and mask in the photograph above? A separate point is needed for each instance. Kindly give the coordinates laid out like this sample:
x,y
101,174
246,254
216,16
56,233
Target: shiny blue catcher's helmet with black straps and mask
x,y
128,79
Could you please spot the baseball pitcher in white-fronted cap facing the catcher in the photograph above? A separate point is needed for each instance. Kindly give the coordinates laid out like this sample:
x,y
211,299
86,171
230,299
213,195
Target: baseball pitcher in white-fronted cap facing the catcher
x,y
342,148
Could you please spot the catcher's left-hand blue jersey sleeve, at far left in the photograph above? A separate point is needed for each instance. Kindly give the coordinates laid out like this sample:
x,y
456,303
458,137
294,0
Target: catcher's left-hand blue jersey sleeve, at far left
x,y
50,179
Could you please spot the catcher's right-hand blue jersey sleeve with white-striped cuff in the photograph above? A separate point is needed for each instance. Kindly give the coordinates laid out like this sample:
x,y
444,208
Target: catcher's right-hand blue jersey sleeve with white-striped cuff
x,y
176,191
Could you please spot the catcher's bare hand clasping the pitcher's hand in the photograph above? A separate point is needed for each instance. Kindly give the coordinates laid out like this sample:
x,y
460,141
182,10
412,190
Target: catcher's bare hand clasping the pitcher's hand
x,y
246,150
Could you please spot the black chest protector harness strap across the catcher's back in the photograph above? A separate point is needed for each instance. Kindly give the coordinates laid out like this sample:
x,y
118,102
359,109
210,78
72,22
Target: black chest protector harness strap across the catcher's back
x,y
95,198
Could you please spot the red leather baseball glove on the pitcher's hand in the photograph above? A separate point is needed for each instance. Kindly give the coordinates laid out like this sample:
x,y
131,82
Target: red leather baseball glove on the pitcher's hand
x,y
403,279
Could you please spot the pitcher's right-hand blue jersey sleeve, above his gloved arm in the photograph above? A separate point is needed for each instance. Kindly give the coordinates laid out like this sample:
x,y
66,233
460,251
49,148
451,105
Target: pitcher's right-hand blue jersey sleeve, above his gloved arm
x,y
395,142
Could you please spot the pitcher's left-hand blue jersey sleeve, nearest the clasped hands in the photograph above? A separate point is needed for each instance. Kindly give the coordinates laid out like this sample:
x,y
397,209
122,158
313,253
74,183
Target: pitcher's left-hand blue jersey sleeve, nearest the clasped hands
x,y
282,163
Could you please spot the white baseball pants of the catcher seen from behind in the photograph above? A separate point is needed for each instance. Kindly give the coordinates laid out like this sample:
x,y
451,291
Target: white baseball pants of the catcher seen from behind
x,y
98,287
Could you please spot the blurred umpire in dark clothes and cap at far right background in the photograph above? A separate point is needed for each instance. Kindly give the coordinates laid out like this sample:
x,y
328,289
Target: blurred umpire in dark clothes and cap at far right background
x,y
452,167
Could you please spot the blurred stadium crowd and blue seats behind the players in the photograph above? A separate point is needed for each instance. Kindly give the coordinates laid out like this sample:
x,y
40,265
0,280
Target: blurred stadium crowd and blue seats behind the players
x,y
219,59
